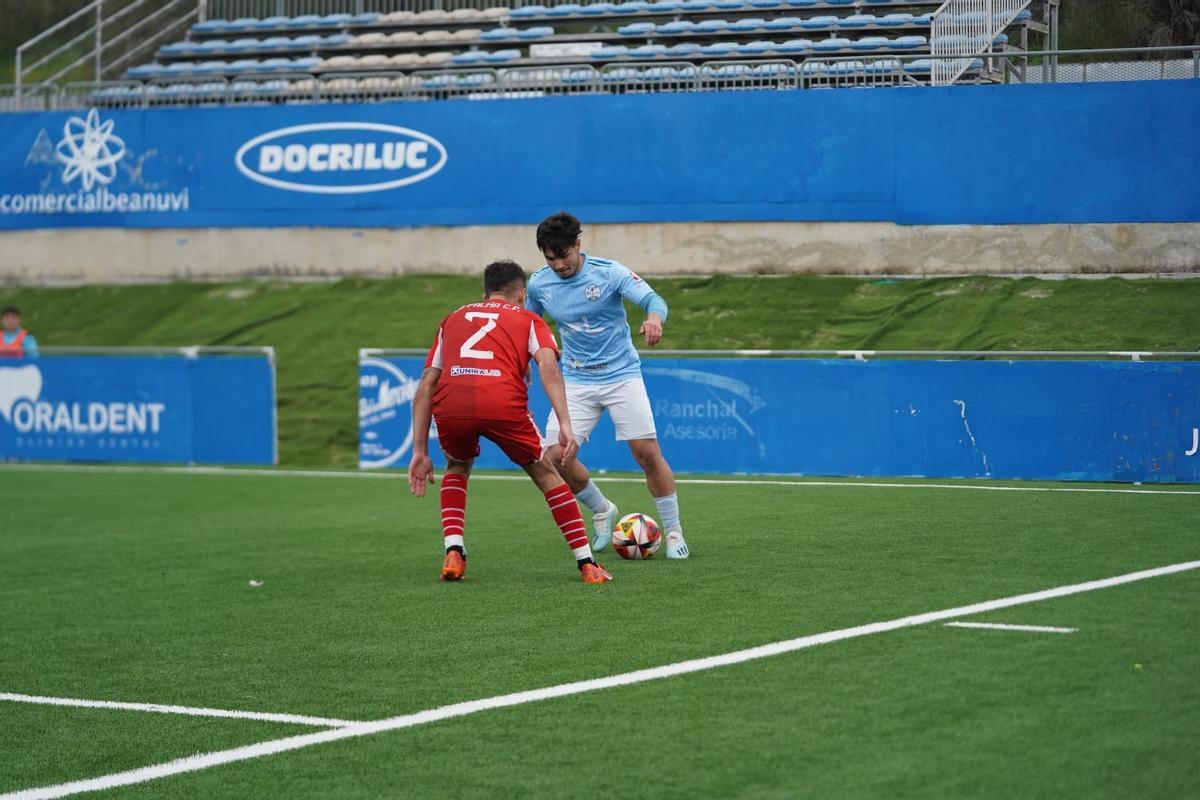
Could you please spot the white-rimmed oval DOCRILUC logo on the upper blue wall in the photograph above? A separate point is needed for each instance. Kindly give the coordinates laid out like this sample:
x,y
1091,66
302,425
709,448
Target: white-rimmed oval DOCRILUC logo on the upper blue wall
x,y
341,158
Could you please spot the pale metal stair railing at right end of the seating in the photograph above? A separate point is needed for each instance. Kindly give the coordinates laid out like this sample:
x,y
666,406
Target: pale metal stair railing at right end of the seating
x,y
964,31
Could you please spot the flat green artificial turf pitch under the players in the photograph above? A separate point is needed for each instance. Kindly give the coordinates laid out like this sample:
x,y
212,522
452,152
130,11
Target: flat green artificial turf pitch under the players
x,y
136,587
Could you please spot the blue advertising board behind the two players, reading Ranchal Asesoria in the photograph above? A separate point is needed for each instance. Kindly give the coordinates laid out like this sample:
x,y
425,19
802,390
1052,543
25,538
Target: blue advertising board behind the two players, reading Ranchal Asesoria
x,y
1036,420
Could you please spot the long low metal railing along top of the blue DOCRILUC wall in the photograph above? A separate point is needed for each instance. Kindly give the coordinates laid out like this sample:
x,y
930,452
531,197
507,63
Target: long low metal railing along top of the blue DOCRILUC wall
x,y
826,73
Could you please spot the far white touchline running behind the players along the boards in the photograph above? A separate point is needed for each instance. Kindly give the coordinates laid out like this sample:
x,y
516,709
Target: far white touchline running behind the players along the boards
x,y
604,479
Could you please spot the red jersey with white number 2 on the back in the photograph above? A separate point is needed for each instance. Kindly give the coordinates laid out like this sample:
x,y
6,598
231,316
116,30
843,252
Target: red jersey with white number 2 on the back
x,y
484,352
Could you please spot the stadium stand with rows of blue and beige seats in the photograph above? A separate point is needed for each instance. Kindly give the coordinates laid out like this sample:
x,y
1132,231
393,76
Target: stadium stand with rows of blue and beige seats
x,y
559,49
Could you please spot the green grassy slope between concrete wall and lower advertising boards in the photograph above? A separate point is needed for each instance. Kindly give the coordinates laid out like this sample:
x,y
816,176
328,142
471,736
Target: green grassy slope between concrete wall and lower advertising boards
x,y
319,328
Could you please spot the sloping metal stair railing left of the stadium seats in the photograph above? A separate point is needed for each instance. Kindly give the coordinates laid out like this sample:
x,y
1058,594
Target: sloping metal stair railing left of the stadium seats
x,y
110,43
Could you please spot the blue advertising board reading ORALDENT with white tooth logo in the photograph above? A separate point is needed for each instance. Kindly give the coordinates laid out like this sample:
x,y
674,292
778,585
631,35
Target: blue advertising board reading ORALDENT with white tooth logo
x,y
152,410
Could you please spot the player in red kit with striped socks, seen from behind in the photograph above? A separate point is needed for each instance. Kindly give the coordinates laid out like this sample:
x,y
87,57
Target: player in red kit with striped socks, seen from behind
x,y
475,386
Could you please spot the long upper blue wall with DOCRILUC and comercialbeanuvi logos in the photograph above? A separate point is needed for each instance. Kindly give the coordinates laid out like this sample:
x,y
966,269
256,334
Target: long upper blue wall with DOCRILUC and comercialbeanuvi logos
x,y
898,155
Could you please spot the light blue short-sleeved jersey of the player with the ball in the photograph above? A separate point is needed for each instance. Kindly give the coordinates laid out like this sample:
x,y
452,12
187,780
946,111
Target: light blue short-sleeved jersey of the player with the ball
x,y
591,316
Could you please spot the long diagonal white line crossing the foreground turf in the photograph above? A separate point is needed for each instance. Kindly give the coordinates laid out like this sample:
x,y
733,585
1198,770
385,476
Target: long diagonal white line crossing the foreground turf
x,y
206,761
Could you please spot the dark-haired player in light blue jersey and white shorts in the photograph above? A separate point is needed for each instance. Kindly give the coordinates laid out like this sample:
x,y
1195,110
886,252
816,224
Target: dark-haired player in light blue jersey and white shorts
x,y
602,369
